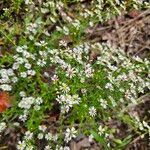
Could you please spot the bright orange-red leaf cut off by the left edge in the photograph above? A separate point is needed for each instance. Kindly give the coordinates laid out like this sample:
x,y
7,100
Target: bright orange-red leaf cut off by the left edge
x,y
4,101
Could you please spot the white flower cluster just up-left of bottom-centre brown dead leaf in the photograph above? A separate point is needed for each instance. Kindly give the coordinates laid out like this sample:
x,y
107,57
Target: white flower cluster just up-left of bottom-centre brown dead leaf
x,y
69,134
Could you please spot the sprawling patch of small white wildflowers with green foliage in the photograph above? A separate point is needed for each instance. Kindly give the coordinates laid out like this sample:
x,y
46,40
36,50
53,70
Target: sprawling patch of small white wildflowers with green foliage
x,y
45,73
